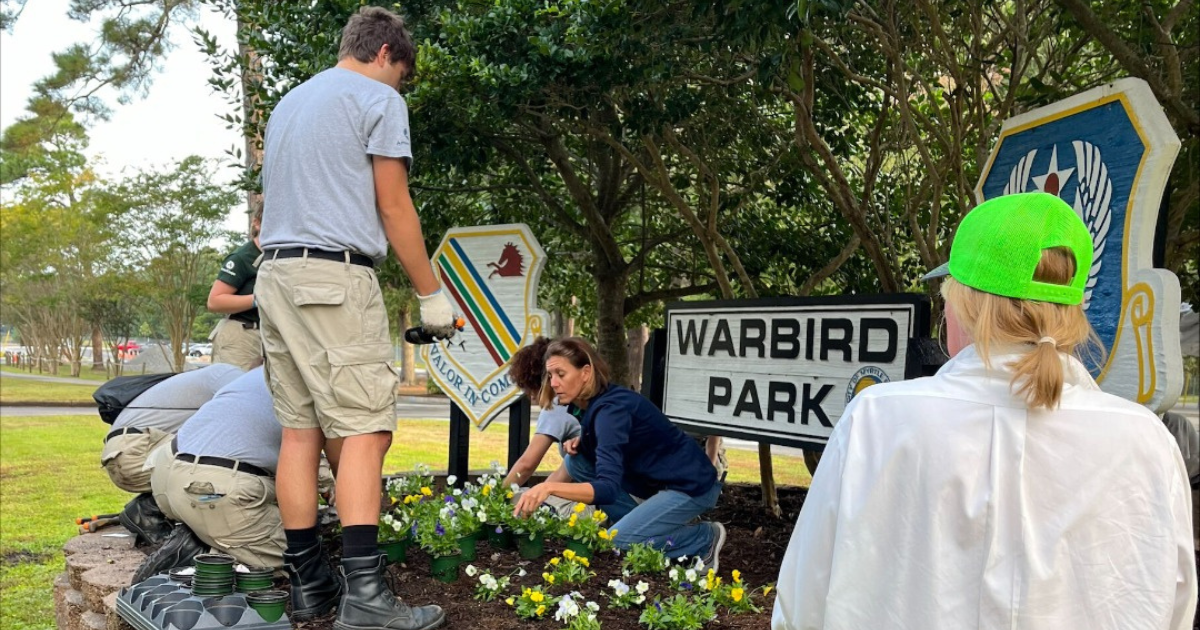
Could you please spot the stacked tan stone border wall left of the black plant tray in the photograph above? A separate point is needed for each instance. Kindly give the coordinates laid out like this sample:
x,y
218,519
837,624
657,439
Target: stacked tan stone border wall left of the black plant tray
x,y
97,568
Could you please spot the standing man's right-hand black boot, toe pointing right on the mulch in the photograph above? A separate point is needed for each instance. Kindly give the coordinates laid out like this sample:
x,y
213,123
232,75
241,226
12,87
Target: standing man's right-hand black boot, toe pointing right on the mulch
x,y
370,605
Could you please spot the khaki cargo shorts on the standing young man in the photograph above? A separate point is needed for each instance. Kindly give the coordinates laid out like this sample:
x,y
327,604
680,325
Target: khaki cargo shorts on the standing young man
x,y
328,346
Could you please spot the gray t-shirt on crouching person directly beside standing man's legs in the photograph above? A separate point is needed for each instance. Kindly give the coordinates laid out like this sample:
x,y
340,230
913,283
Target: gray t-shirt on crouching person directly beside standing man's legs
x,y
238,424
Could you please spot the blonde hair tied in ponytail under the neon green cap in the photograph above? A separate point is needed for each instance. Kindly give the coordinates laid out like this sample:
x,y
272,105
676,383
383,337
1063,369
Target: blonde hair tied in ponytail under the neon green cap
x,y
1043,331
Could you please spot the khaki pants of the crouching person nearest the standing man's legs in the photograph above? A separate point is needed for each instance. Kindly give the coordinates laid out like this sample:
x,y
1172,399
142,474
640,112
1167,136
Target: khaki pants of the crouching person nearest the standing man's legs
x,y
235,513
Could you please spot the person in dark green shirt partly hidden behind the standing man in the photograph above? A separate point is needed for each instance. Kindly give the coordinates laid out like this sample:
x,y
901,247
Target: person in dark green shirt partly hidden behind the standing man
x,y
236,340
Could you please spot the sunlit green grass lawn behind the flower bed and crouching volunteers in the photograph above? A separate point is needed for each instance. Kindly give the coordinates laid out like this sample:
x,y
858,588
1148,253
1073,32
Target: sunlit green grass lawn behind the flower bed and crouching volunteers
x,y
51,475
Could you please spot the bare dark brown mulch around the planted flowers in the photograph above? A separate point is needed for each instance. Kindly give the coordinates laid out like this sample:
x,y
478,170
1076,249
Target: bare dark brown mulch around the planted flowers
x,y
755,547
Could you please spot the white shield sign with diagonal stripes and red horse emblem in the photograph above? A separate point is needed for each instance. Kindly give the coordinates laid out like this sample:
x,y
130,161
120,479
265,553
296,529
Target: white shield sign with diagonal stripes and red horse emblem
x,y
491,275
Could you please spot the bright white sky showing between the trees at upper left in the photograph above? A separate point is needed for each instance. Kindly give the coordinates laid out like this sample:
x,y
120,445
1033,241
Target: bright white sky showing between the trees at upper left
x,y
177,119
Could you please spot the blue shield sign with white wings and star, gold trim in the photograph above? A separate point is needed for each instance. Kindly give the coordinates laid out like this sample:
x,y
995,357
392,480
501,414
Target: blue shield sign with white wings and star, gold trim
x,y
1108,153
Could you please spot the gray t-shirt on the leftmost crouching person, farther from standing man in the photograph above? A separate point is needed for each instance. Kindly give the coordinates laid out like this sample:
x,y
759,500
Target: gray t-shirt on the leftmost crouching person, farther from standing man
x,y
170,404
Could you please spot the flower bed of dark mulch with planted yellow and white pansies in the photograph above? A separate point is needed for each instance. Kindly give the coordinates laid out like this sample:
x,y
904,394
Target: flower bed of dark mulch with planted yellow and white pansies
x,y
754,548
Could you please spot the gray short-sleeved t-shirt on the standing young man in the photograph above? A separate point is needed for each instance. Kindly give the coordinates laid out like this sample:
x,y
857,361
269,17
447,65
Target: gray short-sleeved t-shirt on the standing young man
x,y
319,182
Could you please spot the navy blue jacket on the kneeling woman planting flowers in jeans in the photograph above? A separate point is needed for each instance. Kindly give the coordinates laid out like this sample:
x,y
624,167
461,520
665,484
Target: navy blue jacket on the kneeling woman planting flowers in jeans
x,y
637,449
